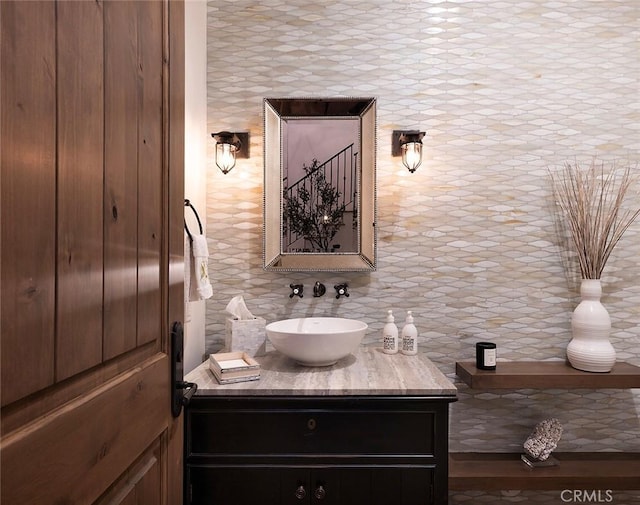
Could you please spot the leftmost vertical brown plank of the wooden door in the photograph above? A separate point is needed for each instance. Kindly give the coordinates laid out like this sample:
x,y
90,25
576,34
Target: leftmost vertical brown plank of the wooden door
x,y
27,161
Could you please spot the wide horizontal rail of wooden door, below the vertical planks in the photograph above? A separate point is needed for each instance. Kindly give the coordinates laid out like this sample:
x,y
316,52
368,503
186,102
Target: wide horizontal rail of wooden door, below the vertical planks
x,y
98,435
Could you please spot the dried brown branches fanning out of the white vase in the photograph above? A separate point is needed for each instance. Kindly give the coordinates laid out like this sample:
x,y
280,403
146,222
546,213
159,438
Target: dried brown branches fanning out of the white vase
x,y
592,199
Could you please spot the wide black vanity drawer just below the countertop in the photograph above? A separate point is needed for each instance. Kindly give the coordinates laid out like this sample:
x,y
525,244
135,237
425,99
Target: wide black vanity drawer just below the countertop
x,y
354,432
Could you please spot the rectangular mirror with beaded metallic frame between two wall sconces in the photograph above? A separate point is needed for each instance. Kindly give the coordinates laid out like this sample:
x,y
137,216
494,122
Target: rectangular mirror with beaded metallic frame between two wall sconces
x,y
319,184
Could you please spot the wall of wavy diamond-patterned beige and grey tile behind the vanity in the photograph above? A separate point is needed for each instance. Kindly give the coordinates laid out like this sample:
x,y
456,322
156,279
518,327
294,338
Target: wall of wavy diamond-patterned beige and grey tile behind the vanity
x,y
505,90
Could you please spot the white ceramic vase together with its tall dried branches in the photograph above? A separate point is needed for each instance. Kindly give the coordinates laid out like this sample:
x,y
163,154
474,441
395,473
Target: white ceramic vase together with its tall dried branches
x,y
591,198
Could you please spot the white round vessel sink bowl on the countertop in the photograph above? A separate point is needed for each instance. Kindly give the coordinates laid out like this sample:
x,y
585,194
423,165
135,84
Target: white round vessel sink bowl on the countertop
x,y
316,341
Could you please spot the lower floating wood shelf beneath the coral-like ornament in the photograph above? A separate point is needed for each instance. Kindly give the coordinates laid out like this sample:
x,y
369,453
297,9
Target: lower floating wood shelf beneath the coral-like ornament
x,y
577,470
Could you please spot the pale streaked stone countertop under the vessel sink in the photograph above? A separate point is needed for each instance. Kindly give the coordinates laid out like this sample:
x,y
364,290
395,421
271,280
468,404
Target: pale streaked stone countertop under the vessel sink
x,y
368,371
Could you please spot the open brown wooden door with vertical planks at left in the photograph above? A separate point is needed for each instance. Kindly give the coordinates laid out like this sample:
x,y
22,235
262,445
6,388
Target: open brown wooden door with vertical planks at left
x,y
91,186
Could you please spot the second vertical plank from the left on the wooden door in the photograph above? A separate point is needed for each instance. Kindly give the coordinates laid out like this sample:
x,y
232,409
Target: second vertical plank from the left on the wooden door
x,y
80,152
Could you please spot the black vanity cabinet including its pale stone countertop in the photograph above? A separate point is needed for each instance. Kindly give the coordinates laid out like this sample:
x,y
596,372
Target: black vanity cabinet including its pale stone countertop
x,y
358,441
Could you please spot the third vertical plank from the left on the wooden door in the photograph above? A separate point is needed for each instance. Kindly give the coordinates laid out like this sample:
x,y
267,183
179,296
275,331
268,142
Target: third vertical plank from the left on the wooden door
x,y
121,178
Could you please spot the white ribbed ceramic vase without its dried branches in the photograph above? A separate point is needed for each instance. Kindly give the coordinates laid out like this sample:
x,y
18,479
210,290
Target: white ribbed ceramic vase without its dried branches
x,y
590,349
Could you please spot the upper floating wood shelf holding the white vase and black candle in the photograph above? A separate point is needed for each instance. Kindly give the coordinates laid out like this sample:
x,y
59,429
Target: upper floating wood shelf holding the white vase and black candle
x,y
546,374
